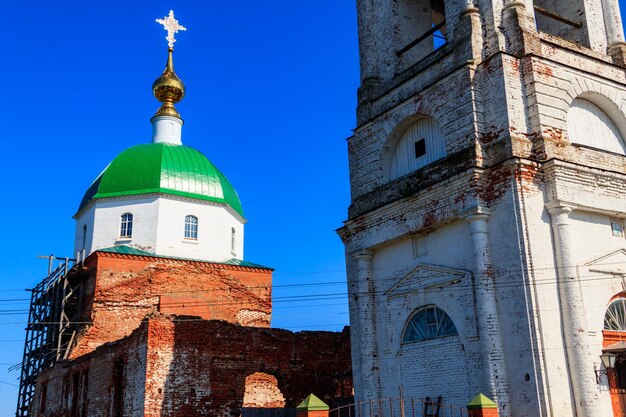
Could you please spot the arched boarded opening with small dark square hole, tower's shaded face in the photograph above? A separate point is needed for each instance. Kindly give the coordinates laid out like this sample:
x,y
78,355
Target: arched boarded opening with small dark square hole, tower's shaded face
x,y
421,144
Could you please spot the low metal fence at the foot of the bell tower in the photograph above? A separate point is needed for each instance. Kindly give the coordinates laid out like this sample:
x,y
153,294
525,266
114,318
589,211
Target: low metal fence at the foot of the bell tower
x,y
399,407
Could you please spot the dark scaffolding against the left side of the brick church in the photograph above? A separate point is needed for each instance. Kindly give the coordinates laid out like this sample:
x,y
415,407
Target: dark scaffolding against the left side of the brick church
x,y
55,308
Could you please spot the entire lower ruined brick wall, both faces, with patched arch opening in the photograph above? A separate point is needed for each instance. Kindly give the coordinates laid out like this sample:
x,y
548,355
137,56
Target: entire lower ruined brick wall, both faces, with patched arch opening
x,y
175,366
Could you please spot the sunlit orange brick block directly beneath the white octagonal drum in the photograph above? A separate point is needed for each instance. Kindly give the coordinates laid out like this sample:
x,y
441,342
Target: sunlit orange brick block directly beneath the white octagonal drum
x,y
122,289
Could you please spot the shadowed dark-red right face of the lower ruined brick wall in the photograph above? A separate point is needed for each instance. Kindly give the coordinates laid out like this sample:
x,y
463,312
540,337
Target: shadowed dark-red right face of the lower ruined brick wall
x,y
210,362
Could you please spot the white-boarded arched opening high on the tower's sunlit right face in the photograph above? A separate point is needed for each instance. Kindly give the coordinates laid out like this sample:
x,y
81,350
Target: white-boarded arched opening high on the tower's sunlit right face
x,y
589,125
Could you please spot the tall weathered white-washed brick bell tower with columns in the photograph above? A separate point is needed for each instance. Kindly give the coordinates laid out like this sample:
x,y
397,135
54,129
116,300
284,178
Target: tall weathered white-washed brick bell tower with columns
x,y
487,174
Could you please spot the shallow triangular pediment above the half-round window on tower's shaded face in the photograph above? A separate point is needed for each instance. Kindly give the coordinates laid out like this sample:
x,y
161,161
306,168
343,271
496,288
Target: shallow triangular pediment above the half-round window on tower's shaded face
x,y
427,277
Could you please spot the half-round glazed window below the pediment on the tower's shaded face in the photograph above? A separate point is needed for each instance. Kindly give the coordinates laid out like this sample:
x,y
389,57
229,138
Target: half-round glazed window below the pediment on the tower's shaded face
x,y
428,323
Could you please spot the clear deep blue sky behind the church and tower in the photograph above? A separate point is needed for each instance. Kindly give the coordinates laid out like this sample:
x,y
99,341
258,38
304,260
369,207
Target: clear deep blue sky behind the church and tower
x,y
271,97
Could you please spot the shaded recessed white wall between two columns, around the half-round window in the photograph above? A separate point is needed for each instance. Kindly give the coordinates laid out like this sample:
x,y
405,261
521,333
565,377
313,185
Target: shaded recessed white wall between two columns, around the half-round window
x,y
414,263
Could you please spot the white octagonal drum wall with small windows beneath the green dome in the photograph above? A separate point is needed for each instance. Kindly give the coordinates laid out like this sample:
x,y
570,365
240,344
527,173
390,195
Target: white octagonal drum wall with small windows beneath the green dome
x,y
159,225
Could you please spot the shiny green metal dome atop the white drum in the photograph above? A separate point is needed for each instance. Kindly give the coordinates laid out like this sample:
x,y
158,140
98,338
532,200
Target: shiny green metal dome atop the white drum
x,y
163,168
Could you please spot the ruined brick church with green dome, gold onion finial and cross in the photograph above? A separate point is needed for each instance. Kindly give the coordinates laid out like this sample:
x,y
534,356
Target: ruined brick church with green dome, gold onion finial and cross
x,y
160,314
